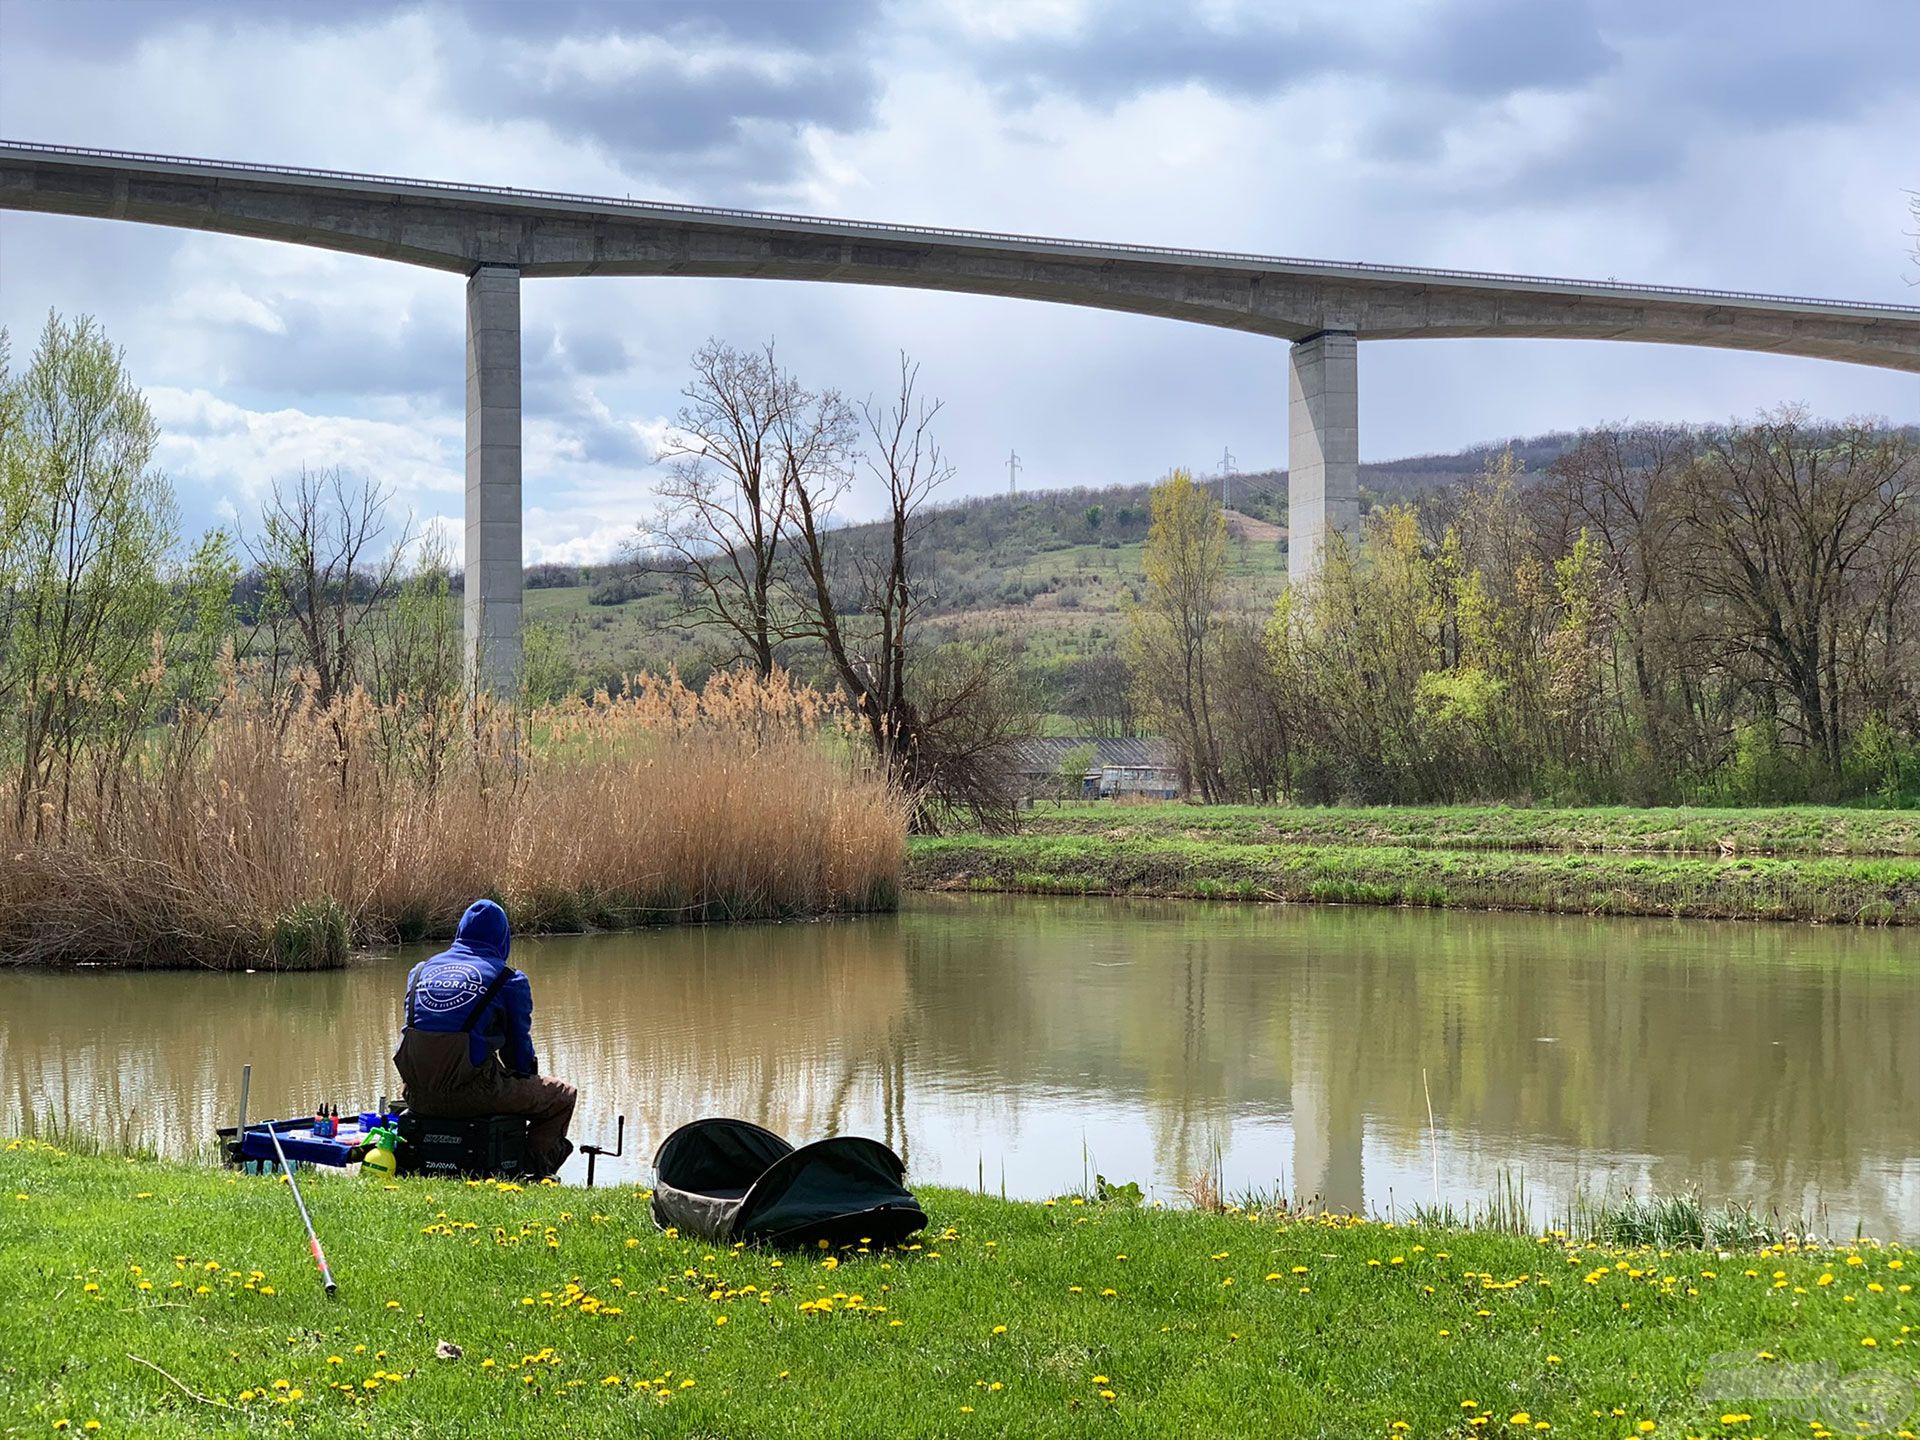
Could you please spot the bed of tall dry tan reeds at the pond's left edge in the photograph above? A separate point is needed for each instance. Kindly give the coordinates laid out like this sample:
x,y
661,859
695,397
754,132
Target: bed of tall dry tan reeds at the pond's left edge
x,y
279,834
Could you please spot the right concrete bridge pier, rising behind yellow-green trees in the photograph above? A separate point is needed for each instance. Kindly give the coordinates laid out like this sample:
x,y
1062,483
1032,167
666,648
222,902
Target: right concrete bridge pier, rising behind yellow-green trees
x,y
1322,448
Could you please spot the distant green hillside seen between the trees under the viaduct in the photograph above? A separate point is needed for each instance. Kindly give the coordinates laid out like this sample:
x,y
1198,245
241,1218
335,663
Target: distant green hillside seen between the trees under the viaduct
x,y
1049,569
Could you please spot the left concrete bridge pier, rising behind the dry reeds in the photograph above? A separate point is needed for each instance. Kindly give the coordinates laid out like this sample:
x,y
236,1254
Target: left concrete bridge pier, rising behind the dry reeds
x,y
494,573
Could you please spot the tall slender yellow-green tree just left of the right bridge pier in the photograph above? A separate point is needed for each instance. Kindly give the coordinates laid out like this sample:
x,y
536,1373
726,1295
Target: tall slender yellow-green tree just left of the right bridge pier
x,y
1174,633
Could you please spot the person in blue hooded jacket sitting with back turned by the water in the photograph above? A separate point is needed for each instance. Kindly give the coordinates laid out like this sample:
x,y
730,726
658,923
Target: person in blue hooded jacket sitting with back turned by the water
x,y
468,1049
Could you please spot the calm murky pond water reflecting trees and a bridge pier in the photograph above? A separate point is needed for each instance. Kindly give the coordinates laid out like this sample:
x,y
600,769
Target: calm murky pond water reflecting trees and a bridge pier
x,y
1026,1044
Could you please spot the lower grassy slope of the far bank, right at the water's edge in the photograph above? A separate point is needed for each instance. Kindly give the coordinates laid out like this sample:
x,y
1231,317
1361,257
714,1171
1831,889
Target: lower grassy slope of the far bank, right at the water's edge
x,y
1746,888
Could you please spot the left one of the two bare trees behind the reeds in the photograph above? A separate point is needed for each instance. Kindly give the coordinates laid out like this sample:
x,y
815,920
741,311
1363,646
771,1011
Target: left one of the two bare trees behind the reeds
x,y
740,446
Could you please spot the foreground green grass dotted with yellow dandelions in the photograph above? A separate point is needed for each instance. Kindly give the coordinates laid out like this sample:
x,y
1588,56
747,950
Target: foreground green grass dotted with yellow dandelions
x,y
1011,1320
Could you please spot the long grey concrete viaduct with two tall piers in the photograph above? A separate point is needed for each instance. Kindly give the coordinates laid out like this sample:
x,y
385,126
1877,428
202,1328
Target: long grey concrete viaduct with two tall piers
x,y
496,237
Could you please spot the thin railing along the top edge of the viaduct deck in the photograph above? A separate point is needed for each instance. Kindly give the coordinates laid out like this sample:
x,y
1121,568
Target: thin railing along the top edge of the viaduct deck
x,y
951,233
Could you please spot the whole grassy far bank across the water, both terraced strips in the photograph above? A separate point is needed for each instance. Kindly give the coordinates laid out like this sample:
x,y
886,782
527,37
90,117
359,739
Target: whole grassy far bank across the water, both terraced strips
x,y
1627,865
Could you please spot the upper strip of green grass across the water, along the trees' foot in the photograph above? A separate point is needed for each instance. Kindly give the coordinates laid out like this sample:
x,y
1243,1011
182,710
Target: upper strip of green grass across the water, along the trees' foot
x,y
1775,830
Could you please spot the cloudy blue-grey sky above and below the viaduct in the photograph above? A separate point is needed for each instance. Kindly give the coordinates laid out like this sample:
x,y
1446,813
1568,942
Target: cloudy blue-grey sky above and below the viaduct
x,y
1744,145
